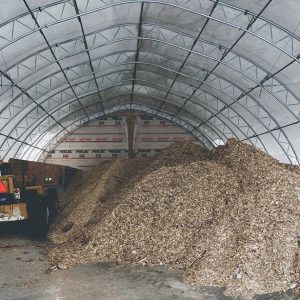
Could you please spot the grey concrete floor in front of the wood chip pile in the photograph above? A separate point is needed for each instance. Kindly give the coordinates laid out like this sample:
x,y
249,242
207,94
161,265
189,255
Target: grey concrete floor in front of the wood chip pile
x,y
23,276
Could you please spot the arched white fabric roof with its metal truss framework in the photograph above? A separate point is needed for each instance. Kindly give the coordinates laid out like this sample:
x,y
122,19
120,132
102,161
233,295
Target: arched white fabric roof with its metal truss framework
x,y
220,69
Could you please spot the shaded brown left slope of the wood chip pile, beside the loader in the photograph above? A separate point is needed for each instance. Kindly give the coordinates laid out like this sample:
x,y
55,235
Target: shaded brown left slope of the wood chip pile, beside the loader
x,y
91,196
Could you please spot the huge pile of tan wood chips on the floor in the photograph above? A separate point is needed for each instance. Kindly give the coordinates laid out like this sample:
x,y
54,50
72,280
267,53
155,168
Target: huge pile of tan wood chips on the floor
x,y
227,217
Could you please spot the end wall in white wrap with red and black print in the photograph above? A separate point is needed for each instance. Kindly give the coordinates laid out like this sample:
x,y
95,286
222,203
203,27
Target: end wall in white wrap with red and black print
x,y
107,138
